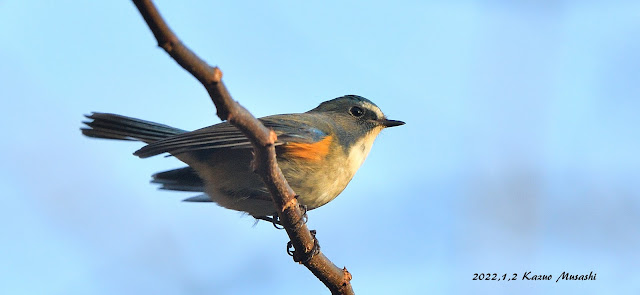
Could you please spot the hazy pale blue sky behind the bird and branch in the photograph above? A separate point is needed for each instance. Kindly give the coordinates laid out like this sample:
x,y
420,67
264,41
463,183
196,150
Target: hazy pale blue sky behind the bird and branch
x,y
520,153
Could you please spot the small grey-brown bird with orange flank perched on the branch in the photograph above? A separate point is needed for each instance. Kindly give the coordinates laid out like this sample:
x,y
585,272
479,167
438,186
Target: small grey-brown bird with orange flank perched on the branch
x,y
318,151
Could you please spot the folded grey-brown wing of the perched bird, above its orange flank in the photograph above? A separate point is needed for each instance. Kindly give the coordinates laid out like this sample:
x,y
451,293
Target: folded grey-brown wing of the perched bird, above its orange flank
x,y
225,135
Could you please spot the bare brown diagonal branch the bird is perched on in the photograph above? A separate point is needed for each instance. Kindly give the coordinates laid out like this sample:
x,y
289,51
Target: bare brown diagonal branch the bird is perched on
x,y
263,139
